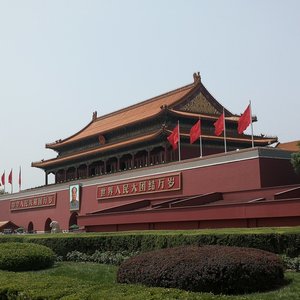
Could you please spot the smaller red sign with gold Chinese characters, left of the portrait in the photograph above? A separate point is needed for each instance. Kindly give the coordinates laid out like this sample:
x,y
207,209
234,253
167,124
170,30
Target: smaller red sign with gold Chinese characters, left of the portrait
x,y
33,202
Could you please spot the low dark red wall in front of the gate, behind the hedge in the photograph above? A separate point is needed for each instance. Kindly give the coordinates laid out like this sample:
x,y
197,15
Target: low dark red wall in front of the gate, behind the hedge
x,y
271,213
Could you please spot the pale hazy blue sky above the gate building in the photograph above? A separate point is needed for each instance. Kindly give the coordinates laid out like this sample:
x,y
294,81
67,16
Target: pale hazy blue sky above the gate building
x,y
61,60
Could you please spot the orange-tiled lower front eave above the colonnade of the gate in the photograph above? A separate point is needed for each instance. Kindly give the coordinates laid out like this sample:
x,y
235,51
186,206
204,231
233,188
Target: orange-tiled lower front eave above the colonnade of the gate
x,y
55,161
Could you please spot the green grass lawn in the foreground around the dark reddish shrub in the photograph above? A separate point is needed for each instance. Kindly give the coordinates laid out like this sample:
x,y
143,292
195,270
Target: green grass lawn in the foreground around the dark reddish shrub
x,y
68,280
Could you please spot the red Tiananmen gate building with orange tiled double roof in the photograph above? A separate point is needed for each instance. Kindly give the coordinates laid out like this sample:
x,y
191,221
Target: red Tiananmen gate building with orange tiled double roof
x,y
120,172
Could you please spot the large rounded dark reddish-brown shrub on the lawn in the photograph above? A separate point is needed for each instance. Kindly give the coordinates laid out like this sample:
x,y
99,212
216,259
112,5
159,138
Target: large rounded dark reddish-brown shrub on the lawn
x,y
217,269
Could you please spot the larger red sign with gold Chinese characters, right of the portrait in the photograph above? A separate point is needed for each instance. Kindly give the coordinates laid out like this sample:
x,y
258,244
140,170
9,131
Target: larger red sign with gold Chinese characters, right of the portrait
x,y
146,185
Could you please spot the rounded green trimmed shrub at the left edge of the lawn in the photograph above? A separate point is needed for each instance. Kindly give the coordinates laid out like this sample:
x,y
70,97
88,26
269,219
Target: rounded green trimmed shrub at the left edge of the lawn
x,y
25,256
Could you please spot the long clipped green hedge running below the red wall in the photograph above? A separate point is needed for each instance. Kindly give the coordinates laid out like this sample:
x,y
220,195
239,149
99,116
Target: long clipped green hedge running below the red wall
x,y
276,242
